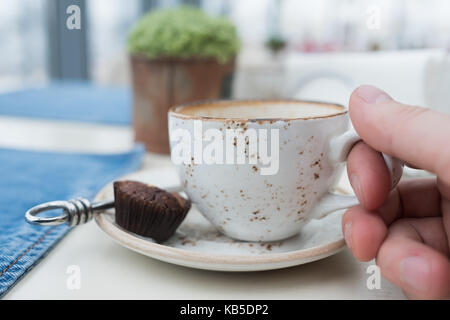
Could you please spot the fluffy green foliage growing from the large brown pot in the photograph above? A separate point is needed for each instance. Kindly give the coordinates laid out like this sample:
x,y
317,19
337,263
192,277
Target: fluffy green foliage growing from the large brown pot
x,y
184,32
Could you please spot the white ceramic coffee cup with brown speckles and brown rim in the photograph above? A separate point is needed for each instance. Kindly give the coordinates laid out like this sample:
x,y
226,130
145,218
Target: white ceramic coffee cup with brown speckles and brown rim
x,y
278,180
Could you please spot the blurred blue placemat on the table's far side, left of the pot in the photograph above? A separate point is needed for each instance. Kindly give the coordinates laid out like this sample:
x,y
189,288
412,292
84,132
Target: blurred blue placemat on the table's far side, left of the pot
x,y
73,101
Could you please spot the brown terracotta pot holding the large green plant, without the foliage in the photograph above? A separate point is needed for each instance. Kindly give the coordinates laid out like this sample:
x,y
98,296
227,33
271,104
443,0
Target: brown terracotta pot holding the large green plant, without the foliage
x,y
161,83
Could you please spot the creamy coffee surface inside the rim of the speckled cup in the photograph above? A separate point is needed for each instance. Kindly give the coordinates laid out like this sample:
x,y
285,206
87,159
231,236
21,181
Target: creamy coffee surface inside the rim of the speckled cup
x,y
262,110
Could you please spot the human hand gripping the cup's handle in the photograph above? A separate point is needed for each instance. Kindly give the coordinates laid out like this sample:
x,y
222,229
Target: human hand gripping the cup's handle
x,y
407,229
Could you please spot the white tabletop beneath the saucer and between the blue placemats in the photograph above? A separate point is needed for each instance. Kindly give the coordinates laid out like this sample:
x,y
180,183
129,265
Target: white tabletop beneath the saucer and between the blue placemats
x,y
109,271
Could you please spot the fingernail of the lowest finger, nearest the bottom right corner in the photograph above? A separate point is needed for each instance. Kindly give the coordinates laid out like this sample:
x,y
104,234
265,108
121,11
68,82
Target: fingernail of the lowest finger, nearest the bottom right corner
x,y
415,271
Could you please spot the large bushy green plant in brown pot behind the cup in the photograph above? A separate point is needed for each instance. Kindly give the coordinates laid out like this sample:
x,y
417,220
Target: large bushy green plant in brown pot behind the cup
x,y
177,56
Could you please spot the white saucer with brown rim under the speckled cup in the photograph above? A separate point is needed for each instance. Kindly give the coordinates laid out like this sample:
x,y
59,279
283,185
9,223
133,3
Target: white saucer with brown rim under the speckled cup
x,y
197,244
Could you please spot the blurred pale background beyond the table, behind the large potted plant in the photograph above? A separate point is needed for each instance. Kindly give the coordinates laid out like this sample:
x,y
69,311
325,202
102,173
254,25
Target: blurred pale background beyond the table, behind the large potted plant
x,y
317,49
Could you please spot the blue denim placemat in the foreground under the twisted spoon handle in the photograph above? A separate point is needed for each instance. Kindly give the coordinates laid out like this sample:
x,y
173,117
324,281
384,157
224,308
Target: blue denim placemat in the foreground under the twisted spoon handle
x,y
28,178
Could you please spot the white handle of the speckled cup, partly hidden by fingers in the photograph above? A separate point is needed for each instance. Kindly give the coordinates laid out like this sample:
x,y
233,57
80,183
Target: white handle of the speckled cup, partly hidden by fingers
x,y
339,149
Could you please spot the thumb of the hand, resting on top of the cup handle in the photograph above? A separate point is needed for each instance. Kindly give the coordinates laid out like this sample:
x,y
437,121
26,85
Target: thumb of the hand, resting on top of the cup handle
x,y
416,135
